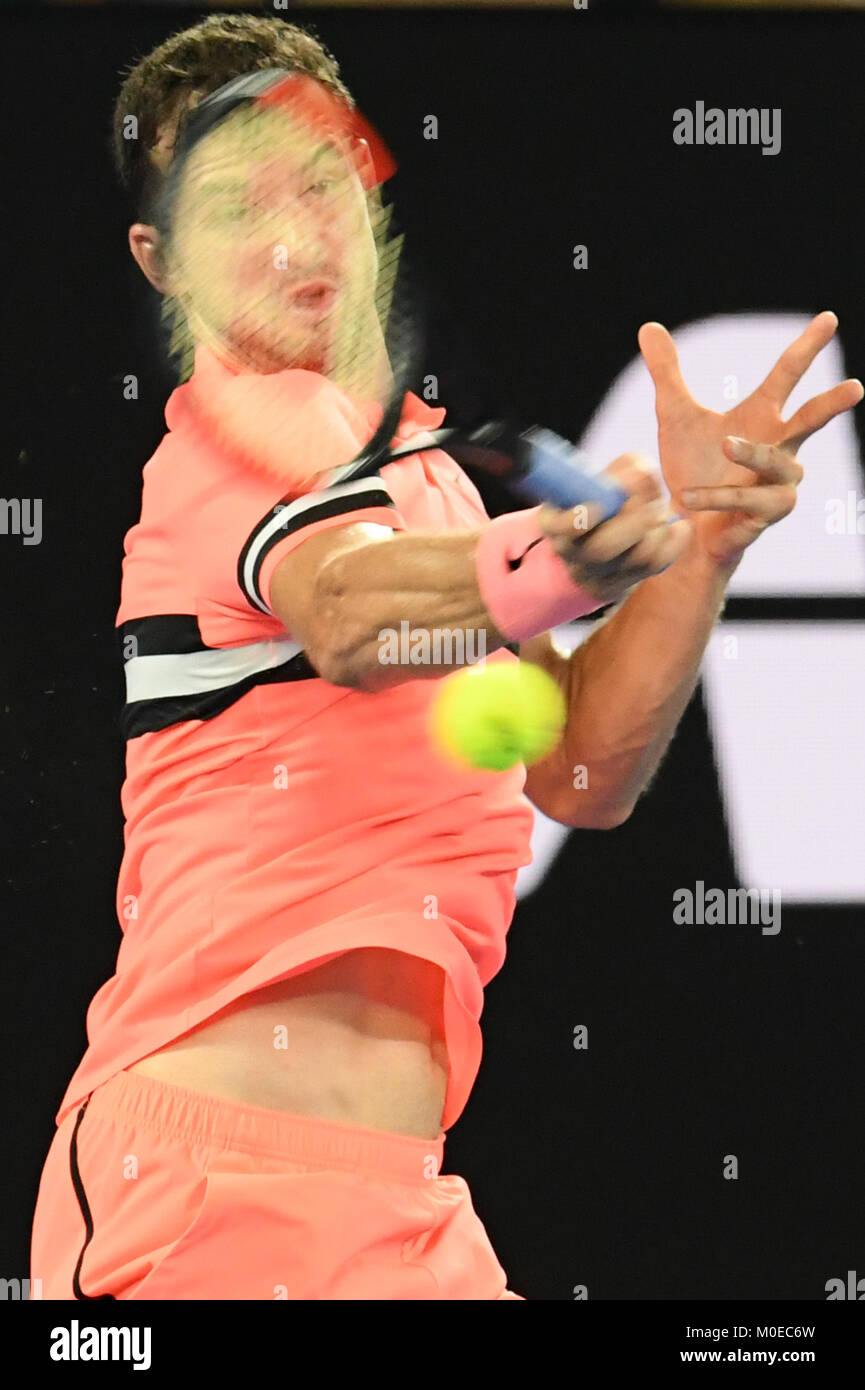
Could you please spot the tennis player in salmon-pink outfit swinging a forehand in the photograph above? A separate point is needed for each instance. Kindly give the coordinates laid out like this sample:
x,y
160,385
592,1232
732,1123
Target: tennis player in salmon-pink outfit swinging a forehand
x,y
311,900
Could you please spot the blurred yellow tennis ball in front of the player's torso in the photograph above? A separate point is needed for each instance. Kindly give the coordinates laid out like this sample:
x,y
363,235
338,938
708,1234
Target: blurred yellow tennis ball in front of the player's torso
x,y
499,715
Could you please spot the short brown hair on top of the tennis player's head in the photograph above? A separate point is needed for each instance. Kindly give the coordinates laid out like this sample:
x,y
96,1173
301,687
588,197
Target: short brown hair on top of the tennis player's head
x,y
200,60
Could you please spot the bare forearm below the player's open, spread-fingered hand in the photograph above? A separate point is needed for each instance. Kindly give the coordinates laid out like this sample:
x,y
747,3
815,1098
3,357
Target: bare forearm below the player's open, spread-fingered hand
x,y
631,683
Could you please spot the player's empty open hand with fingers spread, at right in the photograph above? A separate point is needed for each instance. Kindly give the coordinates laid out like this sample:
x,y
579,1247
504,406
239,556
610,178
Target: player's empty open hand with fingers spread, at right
x,y
735,475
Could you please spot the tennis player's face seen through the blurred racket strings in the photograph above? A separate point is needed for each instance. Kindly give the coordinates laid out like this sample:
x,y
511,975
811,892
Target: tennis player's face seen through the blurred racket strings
x,y
272,251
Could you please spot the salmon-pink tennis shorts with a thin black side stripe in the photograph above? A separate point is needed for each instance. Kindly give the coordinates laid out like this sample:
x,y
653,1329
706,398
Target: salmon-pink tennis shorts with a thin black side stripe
x,y
155,1192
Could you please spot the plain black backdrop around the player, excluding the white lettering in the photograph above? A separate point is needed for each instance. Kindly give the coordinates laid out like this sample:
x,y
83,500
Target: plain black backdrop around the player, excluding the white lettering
x,y
603,1167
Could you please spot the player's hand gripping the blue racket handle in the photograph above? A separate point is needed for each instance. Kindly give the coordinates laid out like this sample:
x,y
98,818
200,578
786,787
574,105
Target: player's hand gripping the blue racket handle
x,y
608,558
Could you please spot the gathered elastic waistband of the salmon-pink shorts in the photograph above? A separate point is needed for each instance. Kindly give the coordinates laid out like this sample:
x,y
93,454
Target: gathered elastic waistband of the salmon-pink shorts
x,y
304,1139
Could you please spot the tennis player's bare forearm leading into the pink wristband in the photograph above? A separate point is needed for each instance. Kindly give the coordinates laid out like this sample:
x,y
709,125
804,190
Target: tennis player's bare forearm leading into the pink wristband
x,y
403,610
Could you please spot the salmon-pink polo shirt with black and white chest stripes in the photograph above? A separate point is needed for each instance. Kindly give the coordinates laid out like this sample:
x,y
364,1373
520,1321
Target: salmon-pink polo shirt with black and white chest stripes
x,y
275,821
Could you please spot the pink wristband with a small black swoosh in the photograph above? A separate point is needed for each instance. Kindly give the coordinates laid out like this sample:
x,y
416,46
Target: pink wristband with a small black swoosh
x,y
540,593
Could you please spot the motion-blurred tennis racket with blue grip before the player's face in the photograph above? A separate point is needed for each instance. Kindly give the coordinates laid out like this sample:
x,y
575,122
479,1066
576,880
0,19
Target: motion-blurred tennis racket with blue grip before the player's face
x,y
293,300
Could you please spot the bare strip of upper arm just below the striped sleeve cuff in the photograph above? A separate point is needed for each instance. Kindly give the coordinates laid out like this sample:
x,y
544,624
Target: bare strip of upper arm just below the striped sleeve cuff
x,y
294,586
